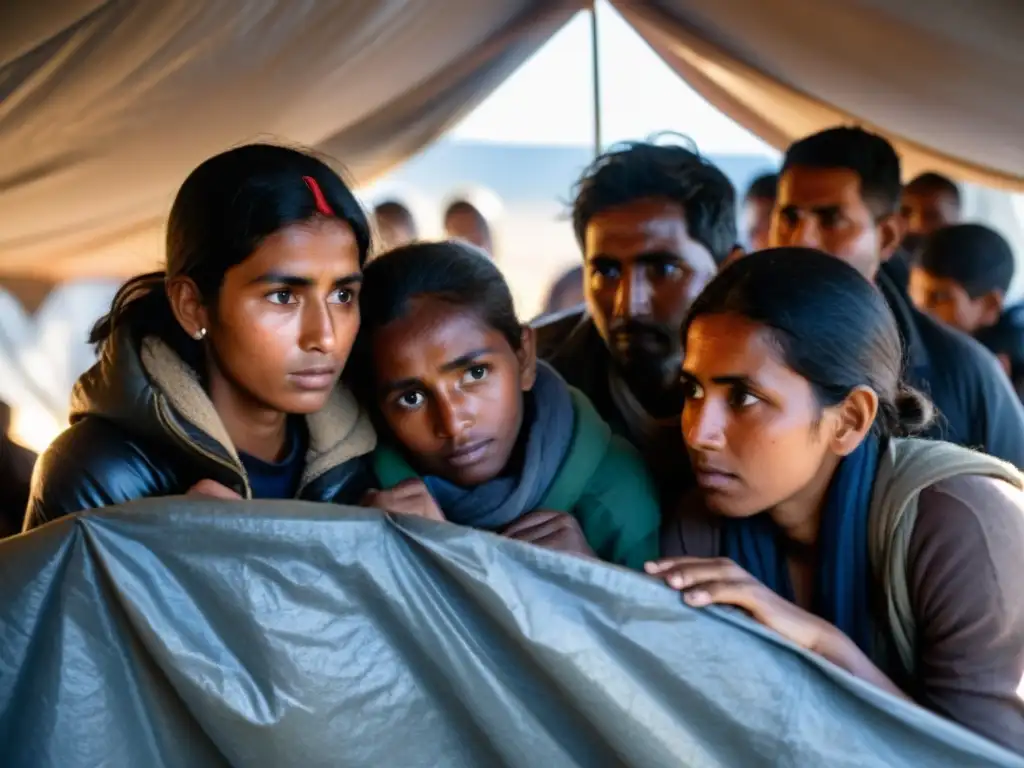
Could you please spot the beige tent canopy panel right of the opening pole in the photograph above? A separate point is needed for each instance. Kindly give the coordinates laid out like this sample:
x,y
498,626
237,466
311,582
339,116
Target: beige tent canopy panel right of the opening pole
x,y
938,79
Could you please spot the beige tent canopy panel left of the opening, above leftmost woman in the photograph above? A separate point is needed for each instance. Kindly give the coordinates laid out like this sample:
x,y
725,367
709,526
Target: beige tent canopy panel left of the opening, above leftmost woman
x,y
107,107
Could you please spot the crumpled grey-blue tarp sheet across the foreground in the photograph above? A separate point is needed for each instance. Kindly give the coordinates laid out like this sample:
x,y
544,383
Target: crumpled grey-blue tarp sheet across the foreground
x,y
193,634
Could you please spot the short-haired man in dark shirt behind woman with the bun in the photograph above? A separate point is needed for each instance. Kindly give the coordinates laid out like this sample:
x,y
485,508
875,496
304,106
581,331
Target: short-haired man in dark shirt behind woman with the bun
x,y
839,192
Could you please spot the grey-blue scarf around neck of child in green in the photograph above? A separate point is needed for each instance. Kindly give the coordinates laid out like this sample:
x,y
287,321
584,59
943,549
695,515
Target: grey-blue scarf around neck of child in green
x,y
545,440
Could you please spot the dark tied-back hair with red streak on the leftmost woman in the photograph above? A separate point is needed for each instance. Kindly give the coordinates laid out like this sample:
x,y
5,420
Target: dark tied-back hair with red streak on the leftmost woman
x,y
225,209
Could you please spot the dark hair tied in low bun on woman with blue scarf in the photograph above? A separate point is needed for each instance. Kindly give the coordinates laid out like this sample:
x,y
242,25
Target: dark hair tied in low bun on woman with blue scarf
x,y
832,327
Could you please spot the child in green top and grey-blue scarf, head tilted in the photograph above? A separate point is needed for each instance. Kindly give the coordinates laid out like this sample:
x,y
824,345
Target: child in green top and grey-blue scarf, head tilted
x,y
479,433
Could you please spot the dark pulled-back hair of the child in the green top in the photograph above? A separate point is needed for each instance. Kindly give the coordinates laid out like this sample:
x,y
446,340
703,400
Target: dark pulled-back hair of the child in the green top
x,y
452,272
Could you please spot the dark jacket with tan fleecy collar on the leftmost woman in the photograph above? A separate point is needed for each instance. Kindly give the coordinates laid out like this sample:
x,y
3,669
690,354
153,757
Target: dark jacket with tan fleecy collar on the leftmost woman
x,y
143,426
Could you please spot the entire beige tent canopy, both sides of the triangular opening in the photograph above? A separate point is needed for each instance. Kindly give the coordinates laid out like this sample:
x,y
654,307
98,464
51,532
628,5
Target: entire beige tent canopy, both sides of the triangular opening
x,y
108,106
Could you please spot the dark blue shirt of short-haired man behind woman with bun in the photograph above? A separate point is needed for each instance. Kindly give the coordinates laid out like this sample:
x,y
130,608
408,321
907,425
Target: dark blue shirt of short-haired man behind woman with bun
x,y
976,403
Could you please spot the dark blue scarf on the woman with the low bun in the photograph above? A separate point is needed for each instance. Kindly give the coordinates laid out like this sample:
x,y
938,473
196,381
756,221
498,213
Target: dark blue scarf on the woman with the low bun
x,y
844,576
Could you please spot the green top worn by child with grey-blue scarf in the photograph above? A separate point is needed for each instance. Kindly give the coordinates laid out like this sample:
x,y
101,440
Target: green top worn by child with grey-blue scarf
x,y
603,483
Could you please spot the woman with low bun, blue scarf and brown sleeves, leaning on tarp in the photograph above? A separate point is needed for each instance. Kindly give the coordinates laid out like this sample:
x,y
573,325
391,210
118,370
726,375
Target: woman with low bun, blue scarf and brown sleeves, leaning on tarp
x,y
898,560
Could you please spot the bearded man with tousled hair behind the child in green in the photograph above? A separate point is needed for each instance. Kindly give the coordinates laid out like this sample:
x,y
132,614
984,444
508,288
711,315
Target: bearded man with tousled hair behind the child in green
x,y
655,224
